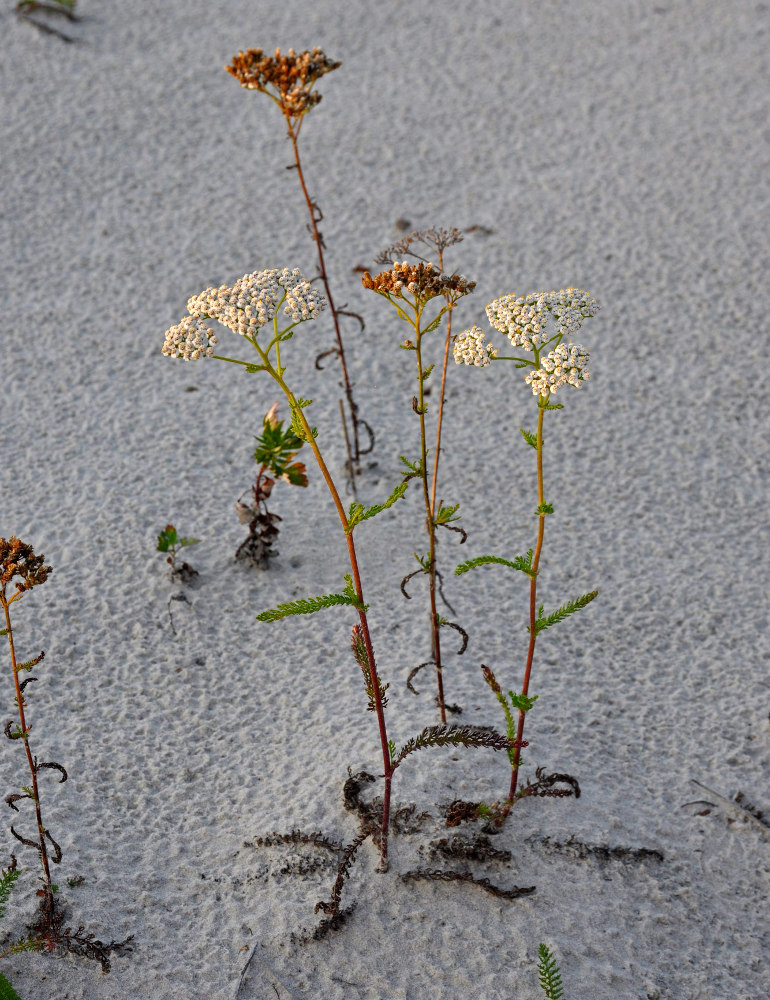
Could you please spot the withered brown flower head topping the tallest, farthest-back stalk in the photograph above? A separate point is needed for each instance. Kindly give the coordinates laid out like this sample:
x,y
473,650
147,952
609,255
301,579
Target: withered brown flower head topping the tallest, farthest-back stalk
x,y
288,79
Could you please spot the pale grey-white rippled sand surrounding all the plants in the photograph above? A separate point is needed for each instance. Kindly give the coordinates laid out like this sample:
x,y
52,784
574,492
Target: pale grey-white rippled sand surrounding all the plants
x,y
616,146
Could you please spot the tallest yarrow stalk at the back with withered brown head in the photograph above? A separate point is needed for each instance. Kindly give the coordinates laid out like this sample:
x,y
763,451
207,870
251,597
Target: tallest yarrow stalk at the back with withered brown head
x,y
289,80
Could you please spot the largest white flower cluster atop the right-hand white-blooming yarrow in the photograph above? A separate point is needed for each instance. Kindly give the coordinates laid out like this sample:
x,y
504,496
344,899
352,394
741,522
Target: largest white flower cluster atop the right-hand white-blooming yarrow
x,y
527,320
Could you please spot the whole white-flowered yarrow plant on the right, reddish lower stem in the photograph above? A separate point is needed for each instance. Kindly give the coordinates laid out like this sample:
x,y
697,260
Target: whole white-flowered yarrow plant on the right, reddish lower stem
x,y
537,326
